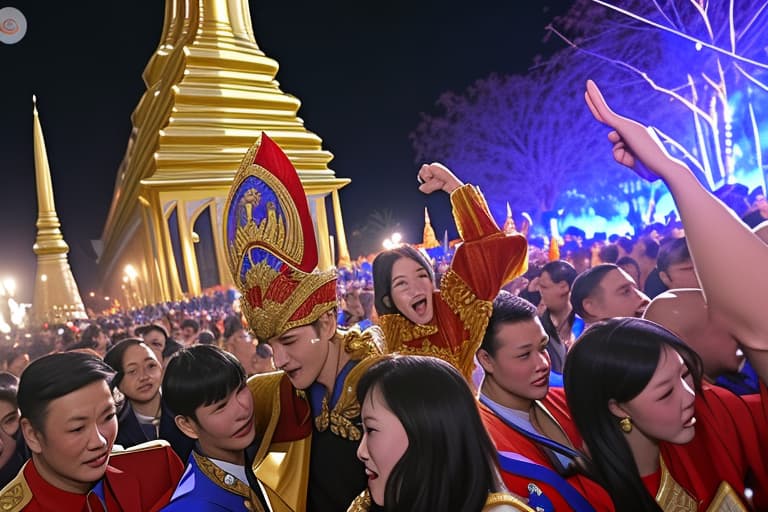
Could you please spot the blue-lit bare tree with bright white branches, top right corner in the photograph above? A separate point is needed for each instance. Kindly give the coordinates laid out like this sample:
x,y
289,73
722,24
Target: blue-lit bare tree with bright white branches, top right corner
x,y
706,58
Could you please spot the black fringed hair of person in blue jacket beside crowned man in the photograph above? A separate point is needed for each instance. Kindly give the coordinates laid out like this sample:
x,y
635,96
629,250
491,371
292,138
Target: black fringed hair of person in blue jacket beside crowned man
x,y
198,376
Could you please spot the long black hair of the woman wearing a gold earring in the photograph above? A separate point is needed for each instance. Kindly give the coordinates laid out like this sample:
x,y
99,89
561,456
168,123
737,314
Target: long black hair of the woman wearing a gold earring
x,y
614,360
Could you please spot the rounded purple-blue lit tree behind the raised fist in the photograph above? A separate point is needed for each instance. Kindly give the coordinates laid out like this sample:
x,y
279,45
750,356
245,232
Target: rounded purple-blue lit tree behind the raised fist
x,y
526,139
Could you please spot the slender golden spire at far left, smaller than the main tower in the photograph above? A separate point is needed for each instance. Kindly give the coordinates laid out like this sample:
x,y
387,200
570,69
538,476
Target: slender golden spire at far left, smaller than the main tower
x,y
56,298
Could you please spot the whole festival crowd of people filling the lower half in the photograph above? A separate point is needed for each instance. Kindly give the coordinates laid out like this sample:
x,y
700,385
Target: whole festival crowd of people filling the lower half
x,y
627,374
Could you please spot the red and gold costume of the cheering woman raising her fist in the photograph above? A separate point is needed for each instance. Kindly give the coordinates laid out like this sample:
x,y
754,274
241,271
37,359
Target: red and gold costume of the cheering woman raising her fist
x,y
485,261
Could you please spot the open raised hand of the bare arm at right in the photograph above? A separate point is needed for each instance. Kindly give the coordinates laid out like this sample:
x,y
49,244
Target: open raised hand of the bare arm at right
x,y
634,145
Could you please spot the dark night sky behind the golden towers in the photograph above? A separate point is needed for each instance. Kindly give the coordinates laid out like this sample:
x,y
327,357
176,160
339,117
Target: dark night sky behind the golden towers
x,y
363,71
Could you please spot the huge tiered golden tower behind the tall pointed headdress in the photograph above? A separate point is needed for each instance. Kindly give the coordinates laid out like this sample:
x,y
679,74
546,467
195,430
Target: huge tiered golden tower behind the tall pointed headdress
x,y
210,92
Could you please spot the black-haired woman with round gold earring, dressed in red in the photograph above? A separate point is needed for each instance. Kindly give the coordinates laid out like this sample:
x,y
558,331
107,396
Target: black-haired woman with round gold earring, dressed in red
x,y
657,437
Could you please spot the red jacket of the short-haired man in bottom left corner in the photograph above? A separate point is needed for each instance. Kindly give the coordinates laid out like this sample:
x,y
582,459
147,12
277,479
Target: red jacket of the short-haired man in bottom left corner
x,y
140,480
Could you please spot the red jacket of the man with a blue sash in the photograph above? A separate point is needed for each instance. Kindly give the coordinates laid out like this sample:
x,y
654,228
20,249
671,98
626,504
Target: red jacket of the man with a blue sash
x,y
509,440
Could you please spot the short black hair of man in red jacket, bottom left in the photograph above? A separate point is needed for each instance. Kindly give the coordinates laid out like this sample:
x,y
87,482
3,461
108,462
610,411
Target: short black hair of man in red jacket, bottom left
x,y
54,376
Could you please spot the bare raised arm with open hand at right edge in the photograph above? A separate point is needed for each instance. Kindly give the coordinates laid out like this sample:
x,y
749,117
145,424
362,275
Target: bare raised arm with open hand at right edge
x,y
728,257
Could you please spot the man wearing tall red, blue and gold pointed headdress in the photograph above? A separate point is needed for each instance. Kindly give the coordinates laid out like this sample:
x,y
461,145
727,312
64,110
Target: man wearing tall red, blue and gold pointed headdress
x,y
307,415
